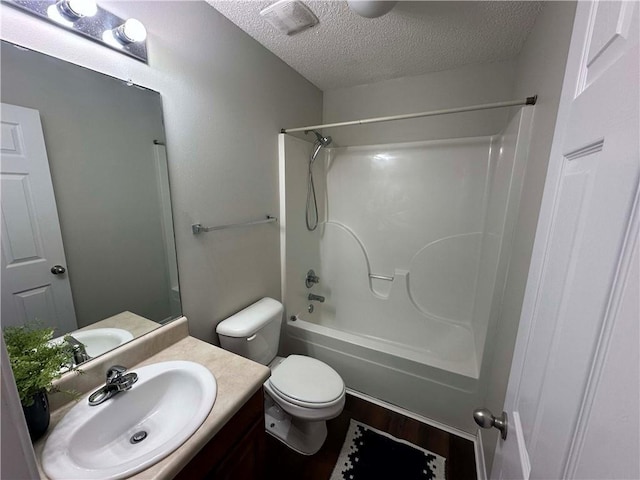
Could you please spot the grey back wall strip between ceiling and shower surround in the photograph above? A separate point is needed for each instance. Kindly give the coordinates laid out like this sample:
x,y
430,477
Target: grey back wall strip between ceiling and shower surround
x,y
471,85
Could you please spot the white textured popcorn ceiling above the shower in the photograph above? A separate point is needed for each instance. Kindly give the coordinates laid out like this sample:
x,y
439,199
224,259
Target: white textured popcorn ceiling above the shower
x,y
345,49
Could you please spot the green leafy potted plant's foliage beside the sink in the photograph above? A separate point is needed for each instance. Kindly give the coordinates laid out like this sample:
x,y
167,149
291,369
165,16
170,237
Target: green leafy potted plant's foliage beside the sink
x,y
36,362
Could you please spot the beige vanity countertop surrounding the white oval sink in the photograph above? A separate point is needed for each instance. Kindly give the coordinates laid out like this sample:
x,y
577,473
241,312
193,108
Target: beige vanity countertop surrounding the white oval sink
x,y
238,379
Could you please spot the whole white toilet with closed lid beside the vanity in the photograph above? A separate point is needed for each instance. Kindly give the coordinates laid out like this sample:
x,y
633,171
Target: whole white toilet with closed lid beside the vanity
x,y
302,392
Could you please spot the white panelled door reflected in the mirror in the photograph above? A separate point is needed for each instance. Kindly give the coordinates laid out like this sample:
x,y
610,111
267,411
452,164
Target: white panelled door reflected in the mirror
x,y
31,237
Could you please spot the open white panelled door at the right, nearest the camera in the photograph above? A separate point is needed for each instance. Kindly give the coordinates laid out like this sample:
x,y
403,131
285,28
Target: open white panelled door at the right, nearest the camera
x,y
572,399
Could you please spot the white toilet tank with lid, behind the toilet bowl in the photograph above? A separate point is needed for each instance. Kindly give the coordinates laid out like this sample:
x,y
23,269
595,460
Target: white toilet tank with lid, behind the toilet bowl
x,y
254,332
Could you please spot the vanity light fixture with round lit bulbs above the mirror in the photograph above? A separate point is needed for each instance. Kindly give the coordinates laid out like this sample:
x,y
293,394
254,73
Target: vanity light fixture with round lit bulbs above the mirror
x,y
86,18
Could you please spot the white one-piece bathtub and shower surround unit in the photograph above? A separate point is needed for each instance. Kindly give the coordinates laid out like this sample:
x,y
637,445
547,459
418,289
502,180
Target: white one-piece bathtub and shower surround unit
x,y
411,251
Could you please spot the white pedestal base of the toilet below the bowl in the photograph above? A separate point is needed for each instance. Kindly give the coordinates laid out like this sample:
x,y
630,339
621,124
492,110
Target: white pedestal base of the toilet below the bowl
x,y
305,437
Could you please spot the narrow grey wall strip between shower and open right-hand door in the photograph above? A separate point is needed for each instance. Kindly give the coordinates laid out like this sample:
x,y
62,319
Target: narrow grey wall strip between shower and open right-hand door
x,y
540,69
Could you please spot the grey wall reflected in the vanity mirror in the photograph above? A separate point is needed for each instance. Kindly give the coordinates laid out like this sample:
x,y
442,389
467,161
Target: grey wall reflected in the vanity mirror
x,y
99,135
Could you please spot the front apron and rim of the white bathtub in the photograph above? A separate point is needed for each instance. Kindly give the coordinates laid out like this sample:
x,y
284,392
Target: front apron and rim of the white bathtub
x,y
391,373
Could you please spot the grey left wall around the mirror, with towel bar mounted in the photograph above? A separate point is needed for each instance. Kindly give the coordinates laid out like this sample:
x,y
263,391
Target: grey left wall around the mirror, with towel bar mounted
x,y
225,98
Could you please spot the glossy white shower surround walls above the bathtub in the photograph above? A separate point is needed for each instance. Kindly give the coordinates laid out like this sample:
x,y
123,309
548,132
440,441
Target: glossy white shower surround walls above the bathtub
x,y
394,210
